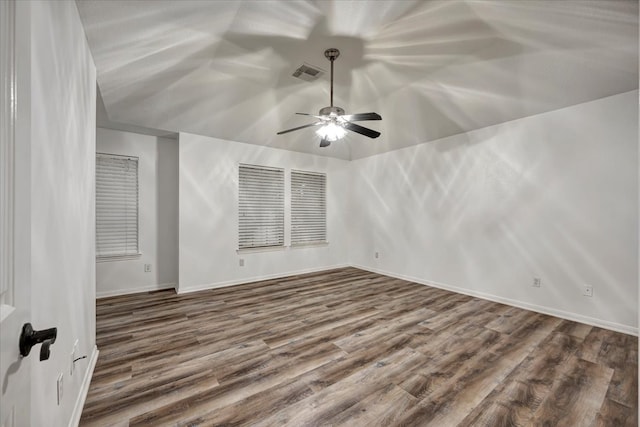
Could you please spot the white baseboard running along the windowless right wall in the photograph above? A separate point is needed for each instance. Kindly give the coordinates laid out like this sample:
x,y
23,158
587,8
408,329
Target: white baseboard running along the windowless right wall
x,y
515,303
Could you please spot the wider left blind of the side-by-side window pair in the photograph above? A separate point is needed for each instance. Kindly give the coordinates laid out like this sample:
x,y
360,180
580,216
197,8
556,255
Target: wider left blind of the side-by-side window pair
x,y
261,207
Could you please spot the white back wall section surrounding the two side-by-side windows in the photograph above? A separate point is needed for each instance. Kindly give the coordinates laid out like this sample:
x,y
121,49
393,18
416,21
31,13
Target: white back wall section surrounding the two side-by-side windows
x,y
208,232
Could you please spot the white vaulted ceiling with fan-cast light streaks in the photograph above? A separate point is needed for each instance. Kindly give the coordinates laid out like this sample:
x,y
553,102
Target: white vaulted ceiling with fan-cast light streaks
x,y
430,68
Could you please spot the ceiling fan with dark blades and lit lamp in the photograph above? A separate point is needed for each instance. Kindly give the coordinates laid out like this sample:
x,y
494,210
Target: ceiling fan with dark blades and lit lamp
x,y
334,123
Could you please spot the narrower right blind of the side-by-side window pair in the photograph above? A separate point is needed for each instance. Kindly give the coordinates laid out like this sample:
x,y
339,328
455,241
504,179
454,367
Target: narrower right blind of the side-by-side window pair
x,y
308,207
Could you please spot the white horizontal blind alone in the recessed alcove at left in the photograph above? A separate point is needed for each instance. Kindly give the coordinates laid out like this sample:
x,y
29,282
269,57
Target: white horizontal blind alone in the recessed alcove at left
x,y
116,205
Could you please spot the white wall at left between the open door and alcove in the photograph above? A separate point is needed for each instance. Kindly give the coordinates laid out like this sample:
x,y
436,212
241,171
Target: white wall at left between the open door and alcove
x,y
62,117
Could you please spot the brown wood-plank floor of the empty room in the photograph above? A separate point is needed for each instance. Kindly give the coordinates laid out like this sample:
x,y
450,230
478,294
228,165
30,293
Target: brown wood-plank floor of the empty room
x,y
349,347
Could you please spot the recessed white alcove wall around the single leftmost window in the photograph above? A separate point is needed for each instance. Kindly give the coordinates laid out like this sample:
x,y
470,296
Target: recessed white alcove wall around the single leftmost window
x,y
157,210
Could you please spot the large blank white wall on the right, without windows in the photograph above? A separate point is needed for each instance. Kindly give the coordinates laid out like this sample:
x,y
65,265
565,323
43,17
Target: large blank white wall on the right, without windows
x,y
553,196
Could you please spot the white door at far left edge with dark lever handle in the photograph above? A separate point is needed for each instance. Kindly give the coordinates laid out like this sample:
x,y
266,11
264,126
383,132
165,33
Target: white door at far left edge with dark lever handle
x,y
15,298
